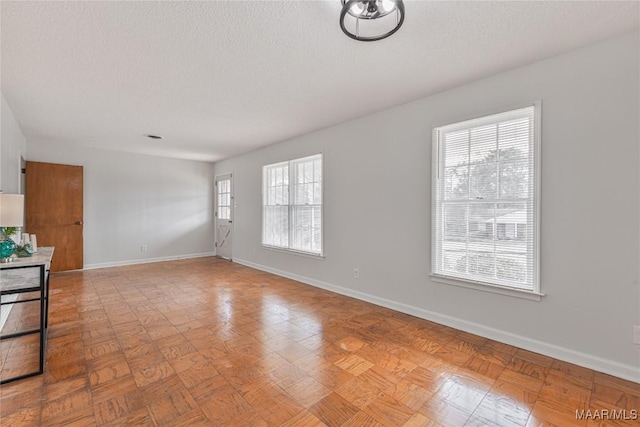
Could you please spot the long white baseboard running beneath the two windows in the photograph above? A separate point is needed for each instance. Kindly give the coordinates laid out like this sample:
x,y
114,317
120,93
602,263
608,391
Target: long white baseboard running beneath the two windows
x,y
627,372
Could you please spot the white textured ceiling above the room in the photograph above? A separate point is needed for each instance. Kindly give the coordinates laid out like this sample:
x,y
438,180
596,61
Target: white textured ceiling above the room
x,y
220,78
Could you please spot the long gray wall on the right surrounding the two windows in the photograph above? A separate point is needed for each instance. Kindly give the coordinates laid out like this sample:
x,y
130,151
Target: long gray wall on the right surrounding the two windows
x,y
377,206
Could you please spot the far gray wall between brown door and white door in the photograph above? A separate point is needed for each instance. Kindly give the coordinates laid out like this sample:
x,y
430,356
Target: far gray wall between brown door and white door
x,y
132,200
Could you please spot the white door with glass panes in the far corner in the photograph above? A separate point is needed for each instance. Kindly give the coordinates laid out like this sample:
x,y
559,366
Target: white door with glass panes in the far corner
x,y
224,215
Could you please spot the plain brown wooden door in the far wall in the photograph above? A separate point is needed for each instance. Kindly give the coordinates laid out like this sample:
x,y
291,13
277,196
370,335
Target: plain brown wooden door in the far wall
x,y
54,212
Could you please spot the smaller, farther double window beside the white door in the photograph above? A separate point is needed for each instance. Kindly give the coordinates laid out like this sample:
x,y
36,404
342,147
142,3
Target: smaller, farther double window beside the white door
x,y
292,205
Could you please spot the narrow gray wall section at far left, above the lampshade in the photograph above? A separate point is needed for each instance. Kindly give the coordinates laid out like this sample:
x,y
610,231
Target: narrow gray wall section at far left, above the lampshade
x,y
12,147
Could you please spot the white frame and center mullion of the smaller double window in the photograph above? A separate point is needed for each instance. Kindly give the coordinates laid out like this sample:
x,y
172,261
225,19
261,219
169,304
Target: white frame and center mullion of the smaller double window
x,y
290,165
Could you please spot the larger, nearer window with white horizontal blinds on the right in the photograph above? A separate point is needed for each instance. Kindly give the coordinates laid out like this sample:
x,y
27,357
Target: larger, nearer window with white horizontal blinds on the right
x,y
485,200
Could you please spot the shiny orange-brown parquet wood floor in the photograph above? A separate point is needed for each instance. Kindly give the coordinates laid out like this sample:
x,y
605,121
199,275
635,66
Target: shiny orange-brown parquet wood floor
x,y
212,343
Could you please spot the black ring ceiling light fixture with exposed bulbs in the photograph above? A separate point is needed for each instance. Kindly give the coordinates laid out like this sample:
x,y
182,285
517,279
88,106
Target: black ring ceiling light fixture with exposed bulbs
x,y
371,20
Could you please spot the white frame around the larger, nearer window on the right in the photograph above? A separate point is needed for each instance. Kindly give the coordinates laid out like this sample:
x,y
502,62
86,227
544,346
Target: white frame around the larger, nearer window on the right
x,y
438,188
